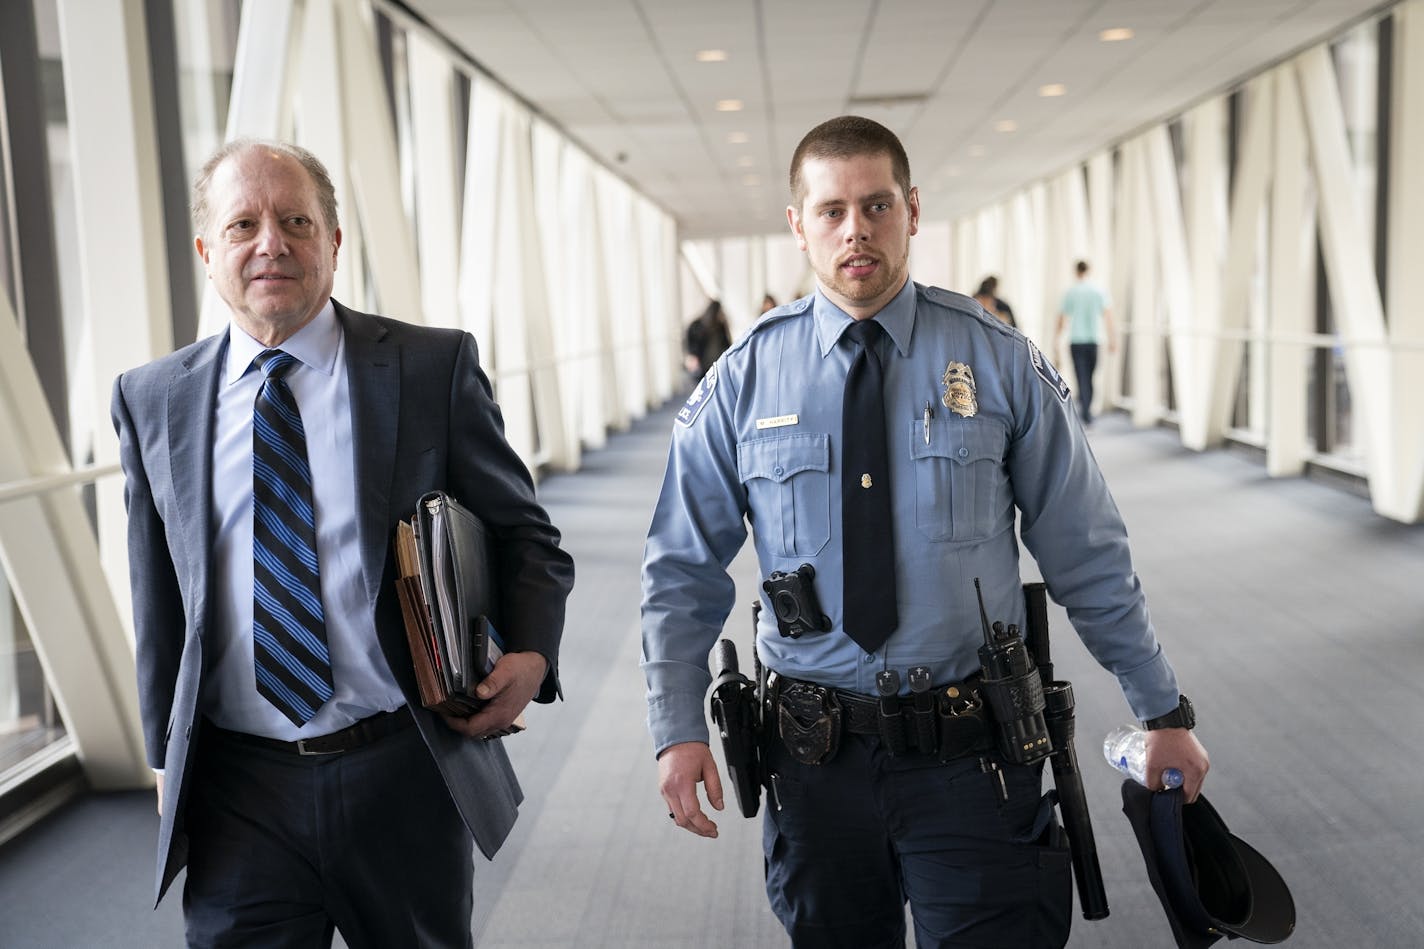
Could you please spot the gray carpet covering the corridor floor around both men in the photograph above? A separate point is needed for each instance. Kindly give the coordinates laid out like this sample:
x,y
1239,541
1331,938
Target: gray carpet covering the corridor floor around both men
x,y
1292,613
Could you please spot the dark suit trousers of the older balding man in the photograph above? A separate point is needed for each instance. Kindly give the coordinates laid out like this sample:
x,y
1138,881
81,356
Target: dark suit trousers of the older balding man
x,y
287,849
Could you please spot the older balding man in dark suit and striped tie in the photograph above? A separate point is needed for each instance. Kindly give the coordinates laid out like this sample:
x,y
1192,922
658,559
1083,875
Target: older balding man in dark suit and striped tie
x,y
301,782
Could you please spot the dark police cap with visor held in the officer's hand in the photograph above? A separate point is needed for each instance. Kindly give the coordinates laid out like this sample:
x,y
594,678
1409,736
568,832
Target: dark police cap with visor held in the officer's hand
x,y
1211,883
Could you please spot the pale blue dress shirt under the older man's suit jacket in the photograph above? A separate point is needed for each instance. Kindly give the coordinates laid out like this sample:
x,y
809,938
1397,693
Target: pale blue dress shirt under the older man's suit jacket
x,y
364,682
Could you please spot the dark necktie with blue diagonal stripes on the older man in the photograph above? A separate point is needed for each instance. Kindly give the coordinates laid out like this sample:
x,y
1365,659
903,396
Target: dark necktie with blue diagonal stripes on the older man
x,y
294,670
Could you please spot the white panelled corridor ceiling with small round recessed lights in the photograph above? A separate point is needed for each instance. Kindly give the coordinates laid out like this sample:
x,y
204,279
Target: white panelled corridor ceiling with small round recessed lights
x,y
622,78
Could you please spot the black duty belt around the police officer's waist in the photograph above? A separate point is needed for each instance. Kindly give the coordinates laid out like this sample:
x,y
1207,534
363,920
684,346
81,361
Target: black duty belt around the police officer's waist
x,y
949,722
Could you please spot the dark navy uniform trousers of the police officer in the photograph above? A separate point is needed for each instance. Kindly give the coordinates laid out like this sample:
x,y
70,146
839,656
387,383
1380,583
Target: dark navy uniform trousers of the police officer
x,y
851,841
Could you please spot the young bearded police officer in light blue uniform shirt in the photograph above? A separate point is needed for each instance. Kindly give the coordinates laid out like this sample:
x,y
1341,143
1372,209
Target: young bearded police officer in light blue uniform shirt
x,y
976,424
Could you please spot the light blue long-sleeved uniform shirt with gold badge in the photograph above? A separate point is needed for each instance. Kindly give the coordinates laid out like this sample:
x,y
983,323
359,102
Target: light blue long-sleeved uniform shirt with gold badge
x,y
758,445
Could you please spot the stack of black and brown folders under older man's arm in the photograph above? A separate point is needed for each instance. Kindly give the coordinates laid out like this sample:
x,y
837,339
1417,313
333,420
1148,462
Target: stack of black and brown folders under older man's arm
x,y
446,592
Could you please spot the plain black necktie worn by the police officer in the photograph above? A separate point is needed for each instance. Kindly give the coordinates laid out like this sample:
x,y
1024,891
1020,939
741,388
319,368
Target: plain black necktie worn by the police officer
x,y
871,612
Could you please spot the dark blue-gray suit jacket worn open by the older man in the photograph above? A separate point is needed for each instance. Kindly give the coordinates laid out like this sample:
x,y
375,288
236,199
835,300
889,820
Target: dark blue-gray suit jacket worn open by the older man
x,y
424,418
